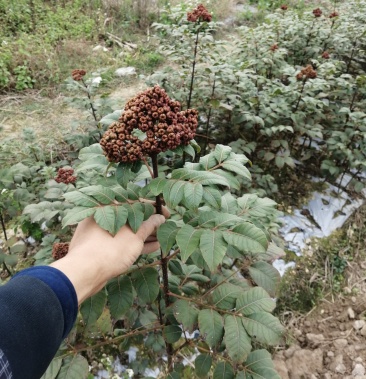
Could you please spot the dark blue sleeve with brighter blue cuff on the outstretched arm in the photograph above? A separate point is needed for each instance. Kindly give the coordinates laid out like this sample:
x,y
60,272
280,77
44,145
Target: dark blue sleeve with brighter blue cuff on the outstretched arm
x,y
38,308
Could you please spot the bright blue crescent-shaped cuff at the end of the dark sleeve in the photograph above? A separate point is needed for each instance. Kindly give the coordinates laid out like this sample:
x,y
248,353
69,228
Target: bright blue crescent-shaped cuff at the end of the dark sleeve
x,y
62,287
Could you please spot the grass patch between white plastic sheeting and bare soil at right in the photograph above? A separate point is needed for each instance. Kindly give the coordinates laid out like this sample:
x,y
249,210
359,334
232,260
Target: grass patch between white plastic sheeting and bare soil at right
x,y
323,270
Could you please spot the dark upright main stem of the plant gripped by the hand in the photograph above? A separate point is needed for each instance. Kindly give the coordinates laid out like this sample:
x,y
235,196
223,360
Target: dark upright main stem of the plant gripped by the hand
x,y
164,268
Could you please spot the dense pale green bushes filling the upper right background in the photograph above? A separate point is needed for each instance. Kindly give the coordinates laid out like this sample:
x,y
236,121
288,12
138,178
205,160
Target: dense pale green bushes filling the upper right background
x,y
246,89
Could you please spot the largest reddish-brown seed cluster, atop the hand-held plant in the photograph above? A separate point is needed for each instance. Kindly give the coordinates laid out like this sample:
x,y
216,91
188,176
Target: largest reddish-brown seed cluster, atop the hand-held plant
x,y
160,118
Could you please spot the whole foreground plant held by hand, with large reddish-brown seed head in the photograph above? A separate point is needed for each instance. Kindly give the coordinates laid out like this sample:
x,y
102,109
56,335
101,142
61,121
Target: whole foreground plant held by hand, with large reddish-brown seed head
x,y
212,274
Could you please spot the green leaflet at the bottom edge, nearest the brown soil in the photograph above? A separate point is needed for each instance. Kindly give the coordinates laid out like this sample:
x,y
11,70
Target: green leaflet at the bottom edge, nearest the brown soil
x,y
259,365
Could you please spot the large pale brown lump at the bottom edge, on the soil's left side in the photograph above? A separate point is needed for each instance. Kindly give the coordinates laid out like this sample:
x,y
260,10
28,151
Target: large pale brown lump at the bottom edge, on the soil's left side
x,y
299,364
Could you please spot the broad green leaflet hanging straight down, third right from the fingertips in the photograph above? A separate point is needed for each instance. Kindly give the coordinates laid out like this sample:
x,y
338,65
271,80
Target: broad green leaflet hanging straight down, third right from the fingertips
x,y
213,248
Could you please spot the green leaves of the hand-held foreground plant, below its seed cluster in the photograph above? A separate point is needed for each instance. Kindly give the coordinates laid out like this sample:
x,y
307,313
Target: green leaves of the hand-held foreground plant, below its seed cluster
x,y
206,243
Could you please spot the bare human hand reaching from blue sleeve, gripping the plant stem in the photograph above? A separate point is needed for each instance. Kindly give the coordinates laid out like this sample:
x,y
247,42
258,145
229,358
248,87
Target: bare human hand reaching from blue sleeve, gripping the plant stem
x,y
95,256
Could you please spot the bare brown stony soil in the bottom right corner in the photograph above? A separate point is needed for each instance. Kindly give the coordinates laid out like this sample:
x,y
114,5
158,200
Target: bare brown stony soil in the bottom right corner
x,y
330,341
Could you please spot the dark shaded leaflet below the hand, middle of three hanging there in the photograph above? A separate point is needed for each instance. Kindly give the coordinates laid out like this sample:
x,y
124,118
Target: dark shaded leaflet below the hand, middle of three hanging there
x,y
120,296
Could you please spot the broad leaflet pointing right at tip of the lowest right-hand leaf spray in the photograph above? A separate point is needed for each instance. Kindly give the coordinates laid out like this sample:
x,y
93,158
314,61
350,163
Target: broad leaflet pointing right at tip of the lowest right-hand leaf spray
x,y
263,327
